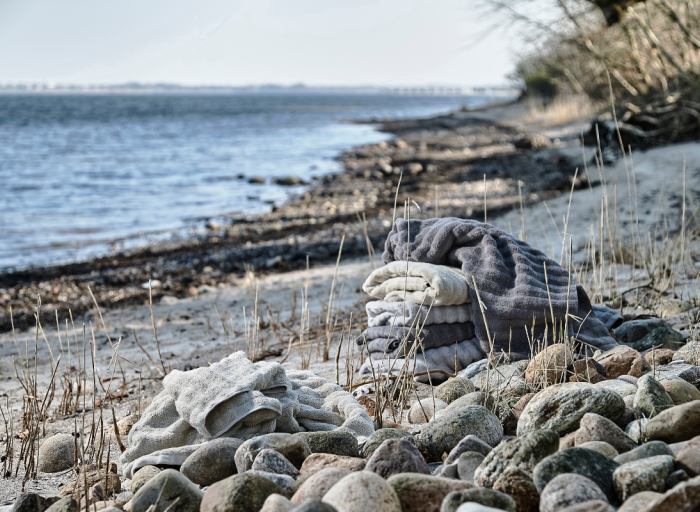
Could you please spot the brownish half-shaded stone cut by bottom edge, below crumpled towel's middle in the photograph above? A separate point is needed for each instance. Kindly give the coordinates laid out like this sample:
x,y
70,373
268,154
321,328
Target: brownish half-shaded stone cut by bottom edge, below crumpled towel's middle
x,y
238,492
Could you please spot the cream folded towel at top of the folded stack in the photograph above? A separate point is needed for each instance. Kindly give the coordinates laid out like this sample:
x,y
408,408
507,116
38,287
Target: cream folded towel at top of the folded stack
x,y
420,283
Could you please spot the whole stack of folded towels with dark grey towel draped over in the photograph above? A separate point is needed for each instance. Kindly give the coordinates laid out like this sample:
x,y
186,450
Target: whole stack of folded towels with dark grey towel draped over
x,y
454,289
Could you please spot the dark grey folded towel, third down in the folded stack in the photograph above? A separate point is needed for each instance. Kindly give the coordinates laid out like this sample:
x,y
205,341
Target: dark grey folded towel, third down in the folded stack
x,y
389,340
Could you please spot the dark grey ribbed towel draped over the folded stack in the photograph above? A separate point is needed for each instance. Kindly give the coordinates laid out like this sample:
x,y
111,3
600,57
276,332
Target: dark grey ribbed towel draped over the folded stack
x,y
510,280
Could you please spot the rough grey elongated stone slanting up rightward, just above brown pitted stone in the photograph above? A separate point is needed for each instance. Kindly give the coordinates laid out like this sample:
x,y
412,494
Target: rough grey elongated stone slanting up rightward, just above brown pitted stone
x,y
523,452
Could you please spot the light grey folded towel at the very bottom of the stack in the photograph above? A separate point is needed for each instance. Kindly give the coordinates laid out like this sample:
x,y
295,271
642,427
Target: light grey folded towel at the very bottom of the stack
x,y
442,358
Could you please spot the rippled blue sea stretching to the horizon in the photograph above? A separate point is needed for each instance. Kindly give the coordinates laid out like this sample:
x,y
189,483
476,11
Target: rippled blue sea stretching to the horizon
x,y
86,175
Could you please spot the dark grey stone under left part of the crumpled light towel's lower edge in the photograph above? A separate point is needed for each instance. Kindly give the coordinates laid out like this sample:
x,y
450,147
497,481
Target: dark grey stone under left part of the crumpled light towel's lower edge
x,y
212,462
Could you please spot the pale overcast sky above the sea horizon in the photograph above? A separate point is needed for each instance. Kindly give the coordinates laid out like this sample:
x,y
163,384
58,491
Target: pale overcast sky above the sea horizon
x,y
238,42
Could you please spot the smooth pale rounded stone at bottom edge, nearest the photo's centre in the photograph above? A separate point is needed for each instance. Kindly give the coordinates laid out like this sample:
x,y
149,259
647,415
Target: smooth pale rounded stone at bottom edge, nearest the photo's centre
x,y
363,491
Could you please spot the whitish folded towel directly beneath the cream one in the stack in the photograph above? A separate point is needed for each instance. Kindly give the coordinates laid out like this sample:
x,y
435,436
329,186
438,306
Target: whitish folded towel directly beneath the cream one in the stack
x,y
381,312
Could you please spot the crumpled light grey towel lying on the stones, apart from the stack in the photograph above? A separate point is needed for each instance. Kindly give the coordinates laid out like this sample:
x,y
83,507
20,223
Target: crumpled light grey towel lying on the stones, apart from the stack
x,y
238,398
